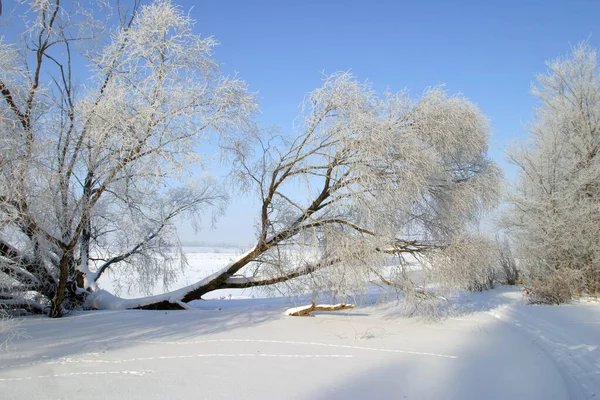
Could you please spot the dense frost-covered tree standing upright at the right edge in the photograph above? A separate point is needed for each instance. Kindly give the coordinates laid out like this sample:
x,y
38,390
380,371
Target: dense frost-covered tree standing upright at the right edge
x,y
555,215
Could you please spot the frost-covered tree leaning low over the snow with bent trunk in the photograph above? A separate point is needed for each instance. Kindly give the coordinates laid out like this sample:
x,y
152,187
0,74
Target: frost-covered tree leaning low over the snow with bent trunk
x,y
362,179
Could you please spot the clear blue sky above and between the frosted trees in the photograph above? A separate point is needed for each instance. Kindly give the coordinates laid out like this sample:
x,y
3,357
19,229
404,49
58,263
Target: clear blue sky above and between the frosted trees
x,y
488,50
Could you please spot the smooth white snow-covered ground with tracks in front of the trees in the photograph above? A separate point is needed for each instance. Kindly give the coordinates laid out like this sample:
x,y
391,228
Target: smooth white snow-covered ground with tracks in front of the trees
x,y
492,347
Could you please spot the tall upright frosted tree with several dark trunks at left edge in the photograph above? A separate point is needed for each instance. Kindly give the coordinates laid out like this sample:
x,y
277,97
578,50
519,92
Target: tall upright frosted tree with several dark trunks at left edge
x,y
90,170
